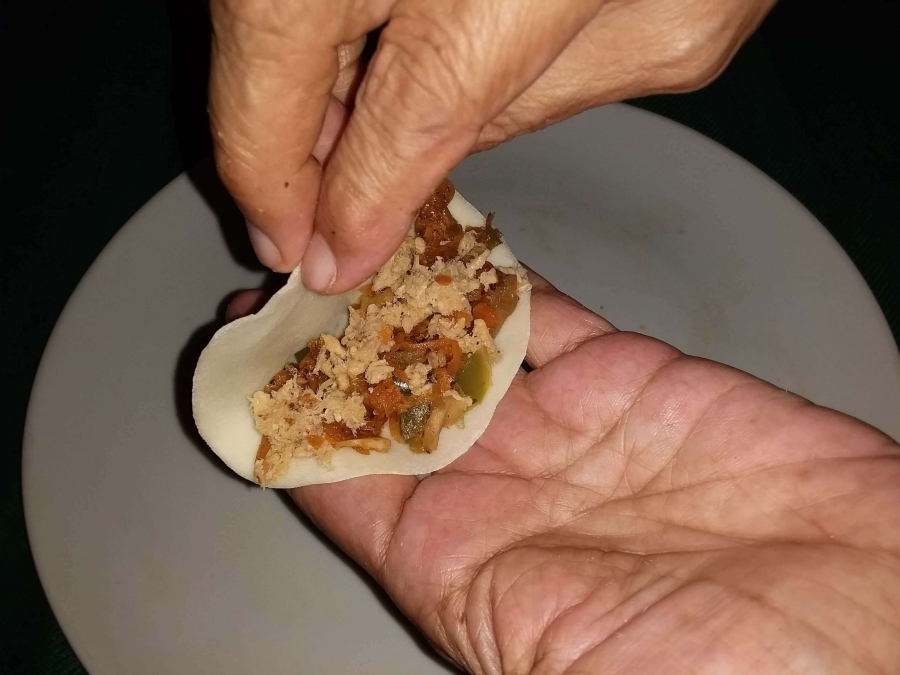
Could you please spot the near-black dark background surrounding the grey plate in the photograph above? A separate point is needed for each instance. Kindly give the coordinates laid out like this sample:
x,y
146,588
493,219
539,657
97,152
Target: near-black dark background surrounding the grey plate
x,y
103,103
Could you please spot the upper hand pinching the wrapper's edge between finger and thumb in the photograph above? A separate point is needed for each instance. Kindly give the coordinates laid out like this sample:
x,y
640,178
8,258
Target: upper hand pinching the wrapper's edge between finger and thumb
x,y
330,158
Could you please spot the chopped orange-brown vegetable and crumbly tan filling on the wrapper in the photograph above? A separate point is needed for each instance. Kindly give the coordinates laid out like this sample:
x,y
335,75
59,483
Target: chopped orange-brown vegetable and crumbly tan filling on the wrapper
x,y
417,353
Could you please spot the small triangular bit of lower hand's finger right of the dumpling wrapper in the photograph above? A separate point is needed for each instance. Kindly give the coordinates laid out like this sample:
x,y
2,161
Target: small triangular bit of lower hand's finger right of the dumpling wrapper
x,y
559,324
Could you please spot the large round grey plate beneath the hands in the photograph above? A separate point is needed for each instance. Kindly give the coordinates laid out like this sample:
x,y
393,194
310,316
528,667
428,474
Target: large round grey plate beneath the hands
x,y
156,560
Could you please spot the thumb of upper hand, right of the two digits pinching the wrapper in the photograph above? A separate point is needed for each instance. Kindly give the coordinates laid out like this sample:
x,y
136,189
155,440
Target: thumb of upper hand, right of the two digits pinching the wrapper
x,y
441,71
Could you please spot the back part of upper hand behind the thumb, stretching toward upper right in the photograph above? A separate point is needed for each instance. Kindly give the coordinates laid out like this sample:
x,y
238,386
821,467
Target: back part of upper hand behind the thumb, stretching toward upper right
x,y
630,50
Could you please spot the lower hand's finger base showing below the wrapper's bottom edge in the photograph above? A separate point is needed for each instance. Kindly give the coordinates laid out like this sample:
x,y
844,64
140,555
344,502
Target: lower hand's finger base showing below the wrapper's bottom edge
x,y
360,514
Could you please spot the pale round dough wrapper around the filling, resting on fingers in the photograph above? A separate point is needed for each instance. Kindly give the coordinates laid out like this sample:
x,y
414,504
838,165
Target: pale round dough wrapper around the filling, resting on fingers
x,y
244,355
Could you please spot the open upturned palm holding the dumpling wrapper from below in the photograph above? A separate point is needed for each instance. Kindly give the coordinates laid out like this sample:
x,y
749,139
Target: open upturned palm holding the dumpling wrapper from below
x,y
634,510
